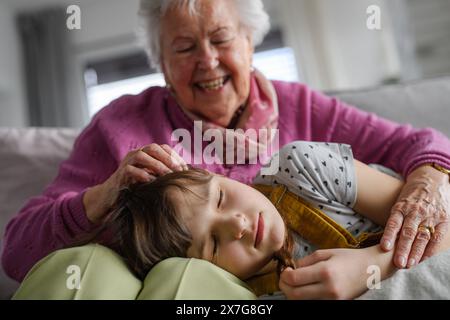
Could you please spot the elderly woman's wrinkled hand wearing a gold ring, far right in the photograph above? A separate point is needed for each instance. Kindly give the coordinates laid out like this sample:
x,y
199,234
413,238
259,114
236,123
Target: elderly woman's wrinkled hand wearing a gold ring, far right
x,y
421,214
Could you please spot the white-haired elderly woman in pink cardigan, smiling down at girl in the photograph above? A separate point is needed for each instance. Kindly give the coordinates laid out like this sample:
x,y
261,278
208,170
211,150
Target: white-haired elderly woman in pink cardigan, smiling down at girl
x,y
204,48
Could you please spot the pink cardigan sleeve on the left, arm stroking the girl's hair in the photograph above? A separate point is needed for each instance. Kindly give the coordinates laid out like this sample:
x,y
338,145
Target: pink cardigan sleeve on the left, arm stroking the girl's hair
x,y
53,220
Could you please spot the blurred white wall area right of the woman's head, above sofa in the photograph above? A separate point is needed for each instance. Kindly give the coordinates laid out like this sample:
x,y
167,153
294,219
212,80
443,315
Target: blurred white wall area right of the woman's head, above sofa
x,y
334,48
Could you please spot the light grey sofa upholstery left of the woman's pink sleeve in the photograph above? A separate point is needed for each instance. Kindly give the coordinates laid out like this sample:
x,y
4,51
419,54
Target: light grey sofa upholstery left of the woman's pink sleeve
x,y
29,160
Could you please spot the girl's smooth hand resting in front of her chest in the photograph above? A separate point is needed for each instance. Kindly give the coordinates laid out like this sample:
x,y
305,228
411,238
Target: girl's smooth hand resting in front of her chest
x,y
327,274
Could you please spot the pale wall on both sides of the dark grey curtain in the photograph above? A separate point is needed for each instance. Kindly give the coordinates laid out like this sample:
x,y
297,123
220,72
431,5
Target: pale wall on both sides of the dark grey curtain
x,y
107,28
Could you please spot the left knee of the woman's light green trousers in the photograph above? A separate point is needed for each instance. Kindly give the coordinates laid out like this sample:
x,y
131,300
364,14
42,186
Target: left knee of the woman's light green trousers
x,y
104,275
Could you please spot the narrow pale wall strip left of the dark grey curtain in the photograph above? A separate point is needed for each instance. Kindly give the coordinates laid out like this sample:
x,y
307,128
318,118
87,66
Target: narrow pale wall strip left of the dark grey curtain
x,y
12,90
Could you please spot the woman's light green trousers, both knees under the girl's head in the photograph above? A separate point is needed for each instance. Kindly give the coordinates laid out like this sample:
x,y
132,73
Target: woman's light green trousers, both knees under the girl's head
x,y
104,275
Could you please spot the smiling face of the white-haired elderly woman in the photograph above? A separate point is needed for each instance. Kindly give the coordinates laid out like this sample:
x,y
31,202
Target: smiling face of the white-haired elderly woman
x,y
206,58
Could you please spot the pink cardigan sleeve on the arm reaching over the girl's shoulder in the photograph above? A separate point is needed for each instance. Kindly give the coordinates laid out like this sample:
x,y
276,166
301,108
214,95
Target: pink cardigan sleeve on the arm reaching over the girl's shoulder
x,y
375,139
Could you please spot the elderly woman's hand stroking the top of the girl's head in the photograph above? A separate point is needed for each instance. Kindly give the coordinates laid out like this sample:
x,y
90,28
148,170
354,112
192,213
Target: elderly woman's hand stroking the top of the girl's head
x,y
142,165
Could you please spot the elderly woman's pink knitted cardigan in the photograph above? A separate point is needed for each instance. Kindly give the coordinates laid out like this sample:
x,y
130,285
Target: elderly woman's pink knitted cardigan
x,y
50,221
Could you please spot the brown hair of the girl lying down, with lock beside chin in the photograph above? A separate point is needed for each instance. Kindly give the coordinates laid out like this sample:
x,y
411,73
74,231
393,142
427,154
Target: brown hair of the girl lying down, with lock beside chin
x,y
147,229
